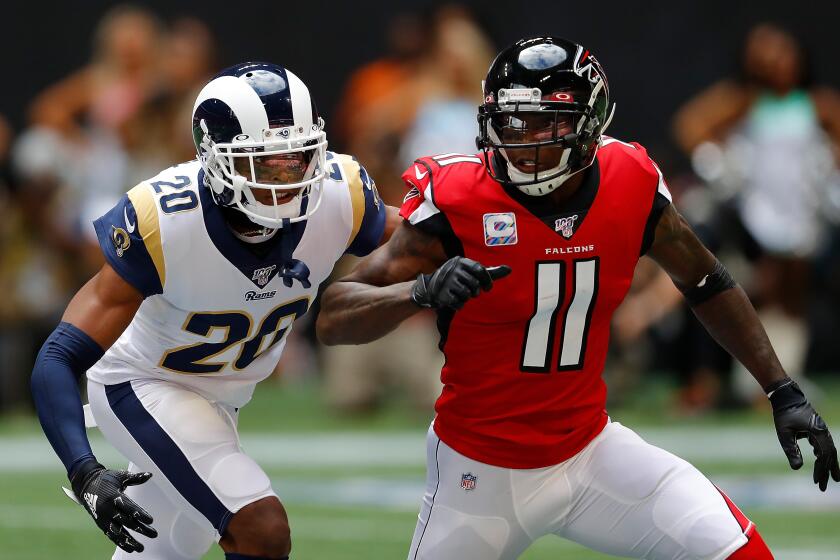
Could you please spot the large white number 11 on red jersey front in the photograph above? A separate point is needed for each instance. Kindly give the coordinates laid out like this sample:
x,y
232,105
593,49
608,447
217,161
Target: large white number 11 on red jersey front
x,y
550,280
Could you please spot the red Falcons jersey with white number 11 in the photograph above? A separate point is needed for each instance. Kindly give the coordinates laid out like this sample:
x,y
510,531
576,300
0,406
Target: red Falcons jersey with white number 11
x,y
522,380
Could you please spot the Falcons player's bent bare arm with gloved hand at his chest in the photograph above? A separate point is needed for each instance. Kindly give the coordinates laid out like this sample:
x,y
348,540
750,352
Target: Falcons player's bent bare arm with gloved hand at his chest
x,y
408,273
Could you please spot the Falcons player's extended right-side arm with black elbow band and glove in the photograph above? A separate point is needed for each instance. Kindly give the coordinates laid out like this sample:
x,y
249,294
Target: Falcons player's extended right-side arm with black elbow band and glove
x,y
727,314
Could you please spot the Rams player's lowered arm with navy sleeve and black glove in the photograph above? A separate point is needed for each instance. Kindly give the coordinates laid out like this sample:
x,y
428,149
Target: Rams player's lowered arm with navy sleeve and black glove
x,y
95,318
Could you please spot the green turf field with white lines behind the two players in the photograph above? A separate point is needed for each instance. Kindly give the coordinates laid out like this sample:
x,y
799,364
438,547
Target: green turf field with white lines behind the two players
x,y
352,487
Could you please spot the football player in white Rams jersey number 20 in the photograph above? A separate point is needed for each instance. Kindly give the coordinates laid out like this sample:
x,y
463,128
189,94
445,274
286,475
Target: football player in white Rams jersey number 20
x,y
207,266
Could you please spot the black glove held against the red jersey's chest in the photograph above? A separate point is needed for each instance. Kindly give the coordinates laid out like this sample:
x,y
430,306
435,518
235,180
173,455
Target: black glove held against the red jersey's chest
x,y
456,281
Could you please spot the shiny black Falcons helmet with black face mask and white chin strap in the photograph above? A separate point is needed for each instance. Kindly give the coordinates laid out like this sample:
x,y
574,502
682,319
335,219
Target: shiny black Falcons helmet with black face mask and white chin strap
x,y
545,82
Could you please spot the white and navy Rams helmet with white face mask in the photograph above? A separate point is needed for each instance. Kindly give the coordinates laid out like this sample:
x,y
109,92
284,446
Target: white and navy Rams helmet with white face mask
x,y
261,143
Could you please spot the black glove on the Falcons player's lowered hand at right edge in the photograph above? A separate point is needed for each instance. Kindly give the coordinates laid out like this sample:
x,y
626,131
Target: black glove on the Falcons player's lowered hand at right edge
x,y
795,418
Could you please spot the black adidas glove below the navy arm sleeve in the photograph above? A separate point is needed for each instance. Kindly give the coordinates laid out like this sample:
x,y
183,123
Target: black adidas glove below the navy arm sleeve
x,y
100,491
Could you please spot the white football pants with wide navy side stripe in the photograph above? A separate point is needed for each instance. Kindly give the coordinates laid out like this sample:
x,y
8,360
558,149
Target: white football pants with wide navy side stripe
x,y
200,475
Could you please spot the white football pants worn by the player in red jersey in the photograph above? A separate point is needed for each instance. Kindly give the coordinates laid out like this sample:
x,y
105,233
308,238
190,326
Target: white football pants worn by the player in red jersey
x,y
619,495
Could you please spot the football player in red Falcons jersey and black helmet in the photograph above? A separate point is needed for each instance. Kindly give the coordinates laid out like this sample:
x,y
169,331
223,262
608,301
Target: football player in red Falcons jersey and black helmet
x,y
521,445
